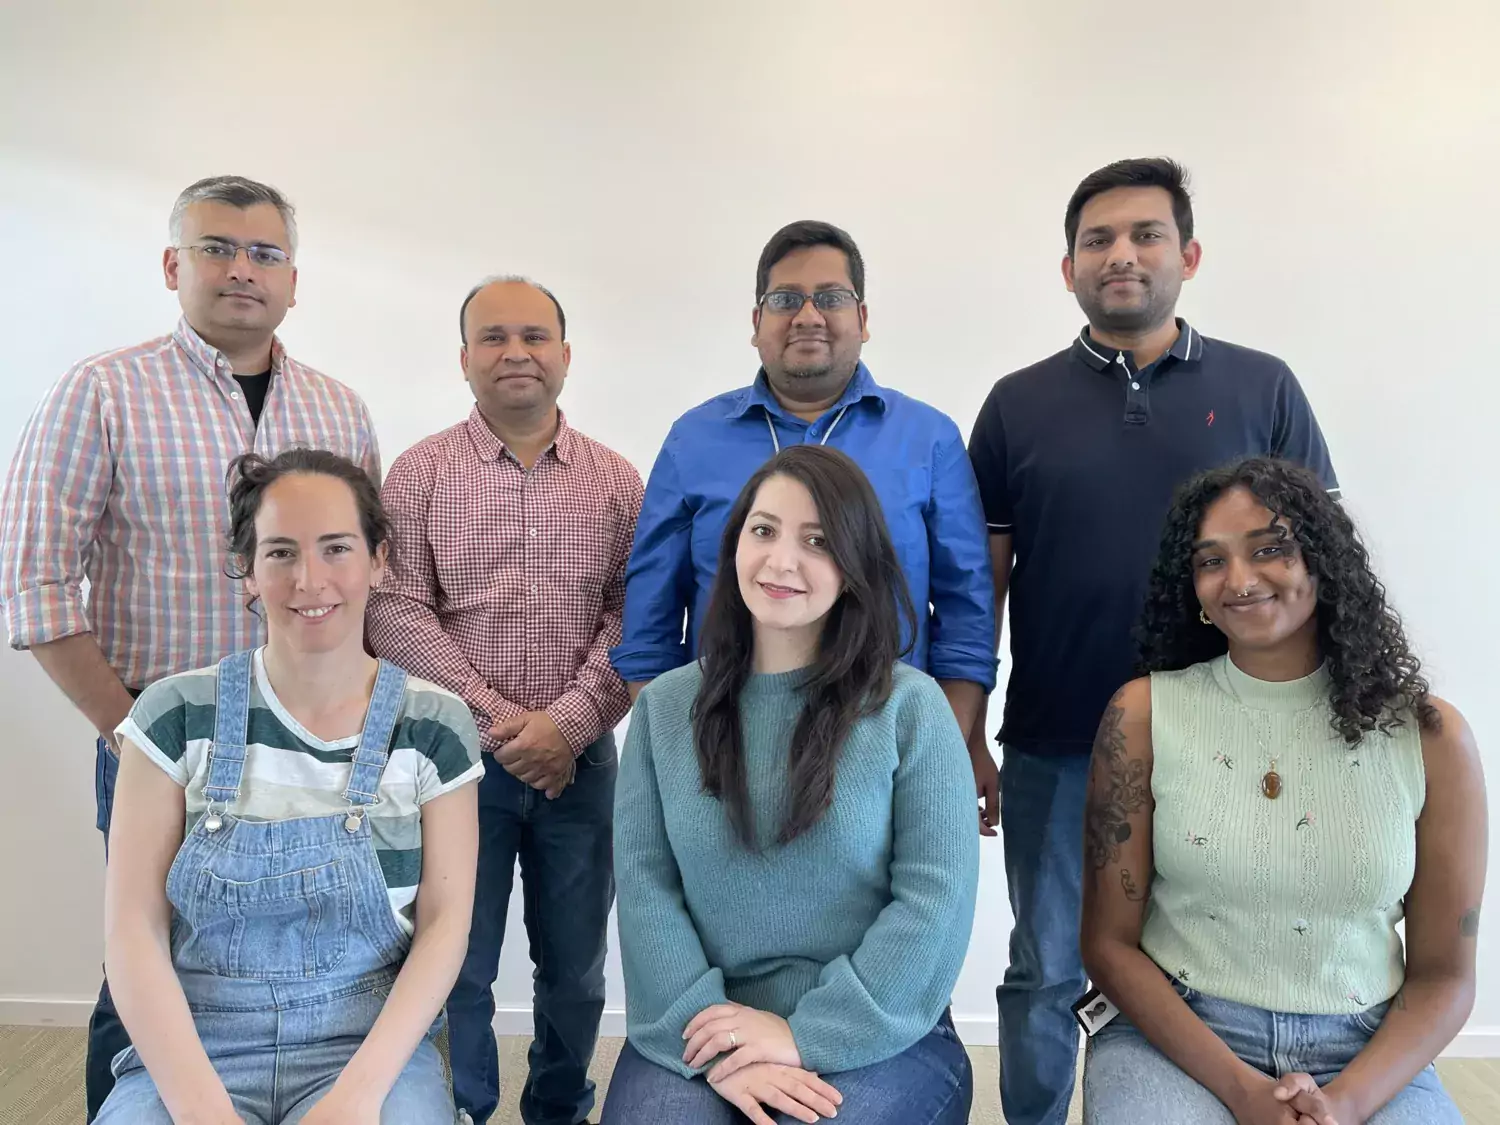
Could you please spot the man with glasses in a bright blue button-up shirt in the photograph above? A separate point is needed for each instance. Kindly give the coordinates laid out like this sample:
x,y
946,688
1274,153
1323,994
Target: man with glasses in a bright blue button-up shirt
x,y
811,322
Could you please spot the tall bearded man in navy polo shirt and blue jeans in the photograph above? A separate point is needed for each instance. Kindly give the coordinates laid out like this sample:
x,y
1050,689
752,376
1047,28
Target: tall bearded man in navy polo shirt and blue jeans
x,y
1078,458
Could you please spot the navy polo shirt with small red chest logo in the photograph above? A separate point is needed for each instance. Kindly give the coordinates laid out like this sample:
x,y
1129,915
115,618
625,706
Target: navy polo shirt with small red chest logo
x,y
1078,460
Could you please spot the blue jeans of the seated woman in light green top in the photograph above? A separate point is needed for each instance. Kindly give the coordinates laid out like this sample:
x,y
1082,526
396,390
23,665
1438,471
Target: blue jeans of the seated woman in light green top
x,y
1127,1081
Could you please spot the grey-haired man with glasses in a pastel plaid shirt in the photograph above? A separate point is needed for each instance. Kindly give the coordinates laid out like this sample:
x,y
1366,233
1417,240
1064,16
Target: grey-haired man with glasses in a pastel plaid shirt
x,y
119,481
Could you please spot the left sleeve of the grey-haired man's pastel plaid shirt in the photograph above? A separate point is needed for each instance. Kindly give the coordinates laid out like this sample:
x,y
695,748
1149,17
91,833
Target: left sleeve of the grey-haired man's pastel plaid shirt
x,y
55,499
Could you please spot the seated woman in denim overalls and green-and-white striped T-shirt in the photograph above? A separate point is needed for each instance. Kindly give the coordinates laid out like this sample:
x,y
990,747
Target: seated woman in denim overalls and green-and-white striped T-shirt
x,y
259,965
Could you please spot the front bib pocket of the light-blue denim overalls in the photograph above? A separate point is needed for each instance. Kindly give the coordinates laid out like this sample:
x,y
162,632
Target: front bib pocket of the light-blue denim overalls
x,y
283,928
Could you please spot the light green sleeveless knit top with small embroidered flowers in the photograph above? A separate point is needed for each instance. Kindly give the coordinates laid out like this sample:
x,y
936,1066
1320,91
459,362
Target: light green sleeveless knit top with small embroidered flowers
x,y
1288,904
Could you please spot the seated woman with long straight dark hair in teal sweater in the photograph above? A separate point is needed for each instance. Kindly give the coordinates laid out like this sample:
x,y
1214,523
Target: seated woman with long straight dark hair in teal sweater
x,y
794,838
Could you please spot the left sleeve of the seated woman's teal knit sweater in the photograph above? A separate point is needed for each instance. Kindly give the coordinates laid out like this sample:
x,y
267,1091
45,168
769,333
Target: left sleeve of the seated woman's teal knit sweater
x,y
668,977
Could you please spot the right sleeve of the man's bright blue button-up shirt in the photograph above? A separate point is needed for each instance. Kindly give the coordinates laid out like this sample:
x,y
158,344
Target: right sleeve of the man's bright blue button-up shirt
x,y
961,589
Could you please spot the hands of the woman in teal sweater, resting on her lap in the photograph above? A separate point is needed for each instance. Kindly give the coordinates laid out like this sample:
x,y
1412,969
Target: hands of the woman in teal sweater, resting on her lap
x,y
758,1064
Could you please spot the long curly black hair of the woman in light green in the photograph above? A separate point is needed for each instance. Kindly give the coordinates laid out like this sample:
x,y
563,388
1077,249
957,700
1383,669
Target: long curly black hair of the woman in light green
x,y
1376,680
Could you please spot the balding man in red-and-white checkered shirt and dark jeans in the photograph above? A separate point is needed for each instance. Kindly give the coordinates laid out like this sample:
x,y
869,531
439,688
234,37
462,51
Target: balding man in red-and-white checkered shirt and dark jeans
x,y
512,533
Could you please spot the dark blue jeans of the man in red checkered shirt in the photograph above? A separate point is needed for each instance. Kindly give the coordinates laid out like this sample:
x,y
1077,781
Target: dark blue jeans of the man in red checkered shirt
x,y
566,851
